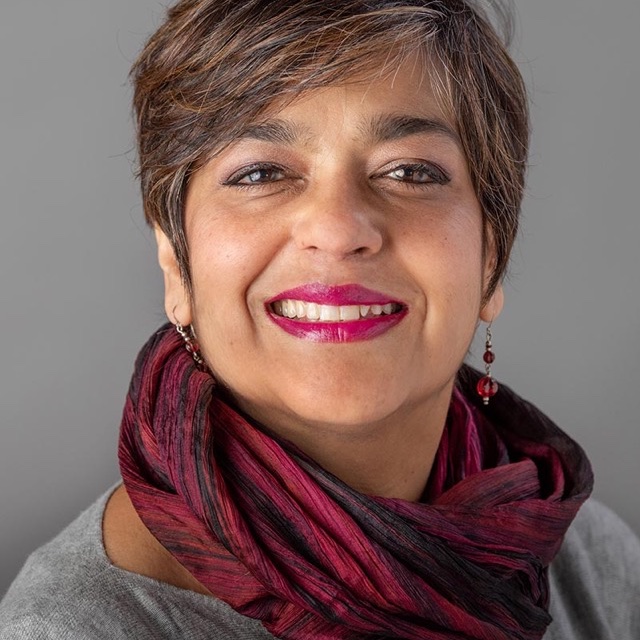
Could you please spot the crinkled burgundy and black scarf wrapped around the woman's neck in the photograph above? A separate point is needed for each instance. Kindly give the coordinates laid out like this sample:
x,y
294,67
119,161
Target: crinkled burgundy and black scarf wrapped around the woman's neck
x,y
267,530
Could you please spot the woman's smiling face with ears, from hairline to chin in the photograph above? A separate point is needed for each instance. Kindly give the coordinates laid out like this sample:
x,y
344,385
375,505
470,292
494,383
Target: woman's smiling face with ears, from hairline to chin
x,y
337,259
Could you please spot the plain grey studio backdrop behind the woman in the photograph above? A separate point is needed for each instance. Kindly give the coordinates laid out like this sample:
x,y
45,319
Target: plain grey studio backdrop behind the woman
x,y
80,291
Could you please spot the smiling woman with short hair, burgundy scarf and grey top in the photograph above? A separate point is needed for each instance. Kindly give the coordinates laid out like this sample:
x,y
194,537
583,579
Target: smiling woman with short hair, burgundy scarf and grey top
x,y
335,190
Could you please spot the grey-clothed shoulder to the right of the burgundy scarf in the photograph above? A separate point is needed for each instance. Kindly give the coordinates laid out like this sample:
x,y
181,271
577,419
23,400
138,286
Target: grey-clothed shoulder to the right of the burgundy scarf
x,y
595,579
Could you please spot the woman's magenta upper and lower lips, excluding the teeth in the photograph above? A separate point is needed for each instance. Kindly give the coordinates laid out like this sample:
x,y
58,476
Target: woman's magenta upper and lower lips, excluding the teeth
x,y
337,295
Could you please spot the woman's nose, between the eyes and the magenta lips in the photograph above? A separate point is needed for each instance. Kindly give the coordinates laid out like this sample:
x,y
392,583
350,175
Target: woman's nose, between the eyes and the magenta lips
x,y
339,220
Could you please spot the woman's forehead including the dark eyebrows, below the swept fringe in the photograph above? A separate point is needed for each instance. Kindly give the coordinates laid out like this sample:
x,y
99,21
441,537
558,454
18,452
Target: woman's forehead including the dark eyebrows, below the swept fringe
x,y
396,93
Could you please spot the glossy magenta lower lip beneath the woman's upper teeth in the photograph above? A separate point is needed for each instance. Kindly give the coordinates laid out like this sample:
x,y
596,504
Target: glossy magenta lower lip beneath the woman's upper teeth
x,y
348,331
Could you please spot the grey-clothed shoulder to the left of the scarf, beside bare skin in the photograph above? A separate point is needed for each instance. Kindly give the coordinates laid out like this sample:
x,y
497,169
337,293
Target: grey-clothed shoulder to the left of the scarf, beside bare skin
x,y
69,590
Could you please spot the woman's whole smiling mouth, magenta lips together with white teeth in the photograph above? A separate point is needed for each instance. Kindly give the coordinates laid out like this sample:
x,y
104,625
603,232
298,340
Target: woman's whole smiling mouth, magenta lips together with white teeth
x,y
339,313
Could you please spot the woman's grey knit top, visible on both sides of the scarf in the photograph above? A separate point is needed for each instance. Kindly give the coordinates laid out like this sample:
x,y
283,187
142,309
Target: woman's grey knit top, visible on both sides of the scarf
x,y
68,590
